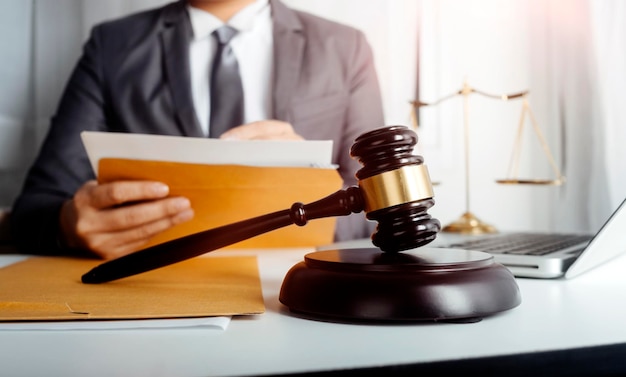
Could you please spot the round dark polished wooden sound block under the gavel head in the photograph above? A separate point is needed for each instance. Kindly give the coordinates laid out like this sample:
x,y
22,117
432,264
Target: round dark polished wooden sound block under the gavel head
x,y
425,284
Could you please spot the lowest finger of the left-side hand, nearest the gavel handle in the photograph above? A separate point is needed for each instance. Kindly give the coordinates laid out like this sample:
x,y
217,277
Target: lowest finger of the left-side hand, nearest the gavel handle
x,y
116,244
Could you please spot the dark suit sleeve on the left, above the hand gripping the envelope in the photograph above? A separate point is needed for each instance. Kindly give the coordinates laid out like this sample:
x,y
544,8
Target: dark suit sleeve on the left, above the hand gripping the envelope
x,y
62,165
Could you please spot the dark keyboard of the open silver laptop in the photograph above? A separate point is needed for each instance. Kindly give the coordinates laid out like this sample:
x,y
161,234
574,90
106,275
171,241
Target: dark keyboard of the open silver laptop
x,y
524,243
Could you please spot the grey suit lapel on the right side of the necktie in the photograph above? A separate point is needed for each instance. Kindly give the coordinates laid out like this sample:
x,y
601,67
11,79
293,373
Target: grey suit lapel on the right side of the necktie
x,y
288,54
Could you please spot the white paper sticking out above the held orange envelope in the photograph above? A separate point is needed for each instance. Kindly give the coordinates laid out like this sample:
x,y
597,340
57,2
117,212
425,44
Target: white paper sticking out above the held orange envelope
x,y
315,153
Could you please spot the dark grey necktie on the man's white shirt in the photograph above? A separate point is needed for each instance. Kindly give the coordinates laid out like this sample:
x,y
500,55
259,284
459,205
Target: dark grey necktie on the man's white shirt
x,y
226,88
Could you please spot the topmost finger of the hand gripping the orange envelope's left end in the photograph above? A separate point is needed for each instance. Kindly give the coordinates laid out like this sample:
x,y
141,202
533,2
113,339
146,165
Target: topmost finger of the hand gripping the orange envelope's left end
x,y
121,192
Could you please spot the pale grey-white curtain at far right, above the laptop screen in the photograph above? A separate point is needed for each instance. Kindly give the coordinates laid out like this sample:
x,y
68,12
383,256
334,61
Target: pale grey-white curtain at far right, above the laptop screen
x,y
586,55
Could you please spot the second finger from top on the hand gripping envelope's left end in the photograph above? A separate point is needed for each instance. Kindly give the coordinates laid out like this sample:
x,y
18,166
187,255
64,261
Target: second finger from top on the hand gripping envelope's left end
x,y
136,215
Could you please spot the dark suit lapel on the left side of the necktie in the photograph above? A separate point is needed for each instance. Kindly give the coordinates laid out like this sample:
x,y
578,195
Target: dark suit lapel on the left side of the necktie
x,y
175,40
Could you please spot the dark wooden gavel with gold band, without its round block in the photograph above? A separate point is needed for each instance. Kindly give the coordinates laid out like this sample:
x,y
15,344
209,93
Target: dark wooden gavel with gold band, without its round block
x,y
394,189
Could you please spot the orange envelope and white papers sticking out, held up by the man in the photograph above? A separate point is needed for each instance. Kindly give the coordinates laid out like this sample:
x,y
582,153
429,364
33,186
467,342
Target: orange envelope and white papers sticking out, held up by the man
x,y
226,181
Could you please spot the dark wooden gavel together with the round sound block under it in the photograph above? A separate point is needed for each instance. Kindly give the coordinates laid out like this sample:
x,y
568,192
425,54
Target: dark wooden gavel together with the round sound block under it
x,y
398,281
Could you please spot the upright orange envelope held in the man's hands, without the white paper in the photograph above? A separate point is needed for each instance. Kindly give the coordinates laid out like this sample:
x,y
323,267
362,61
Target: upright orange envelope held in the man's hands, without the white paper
x,y
224,194
